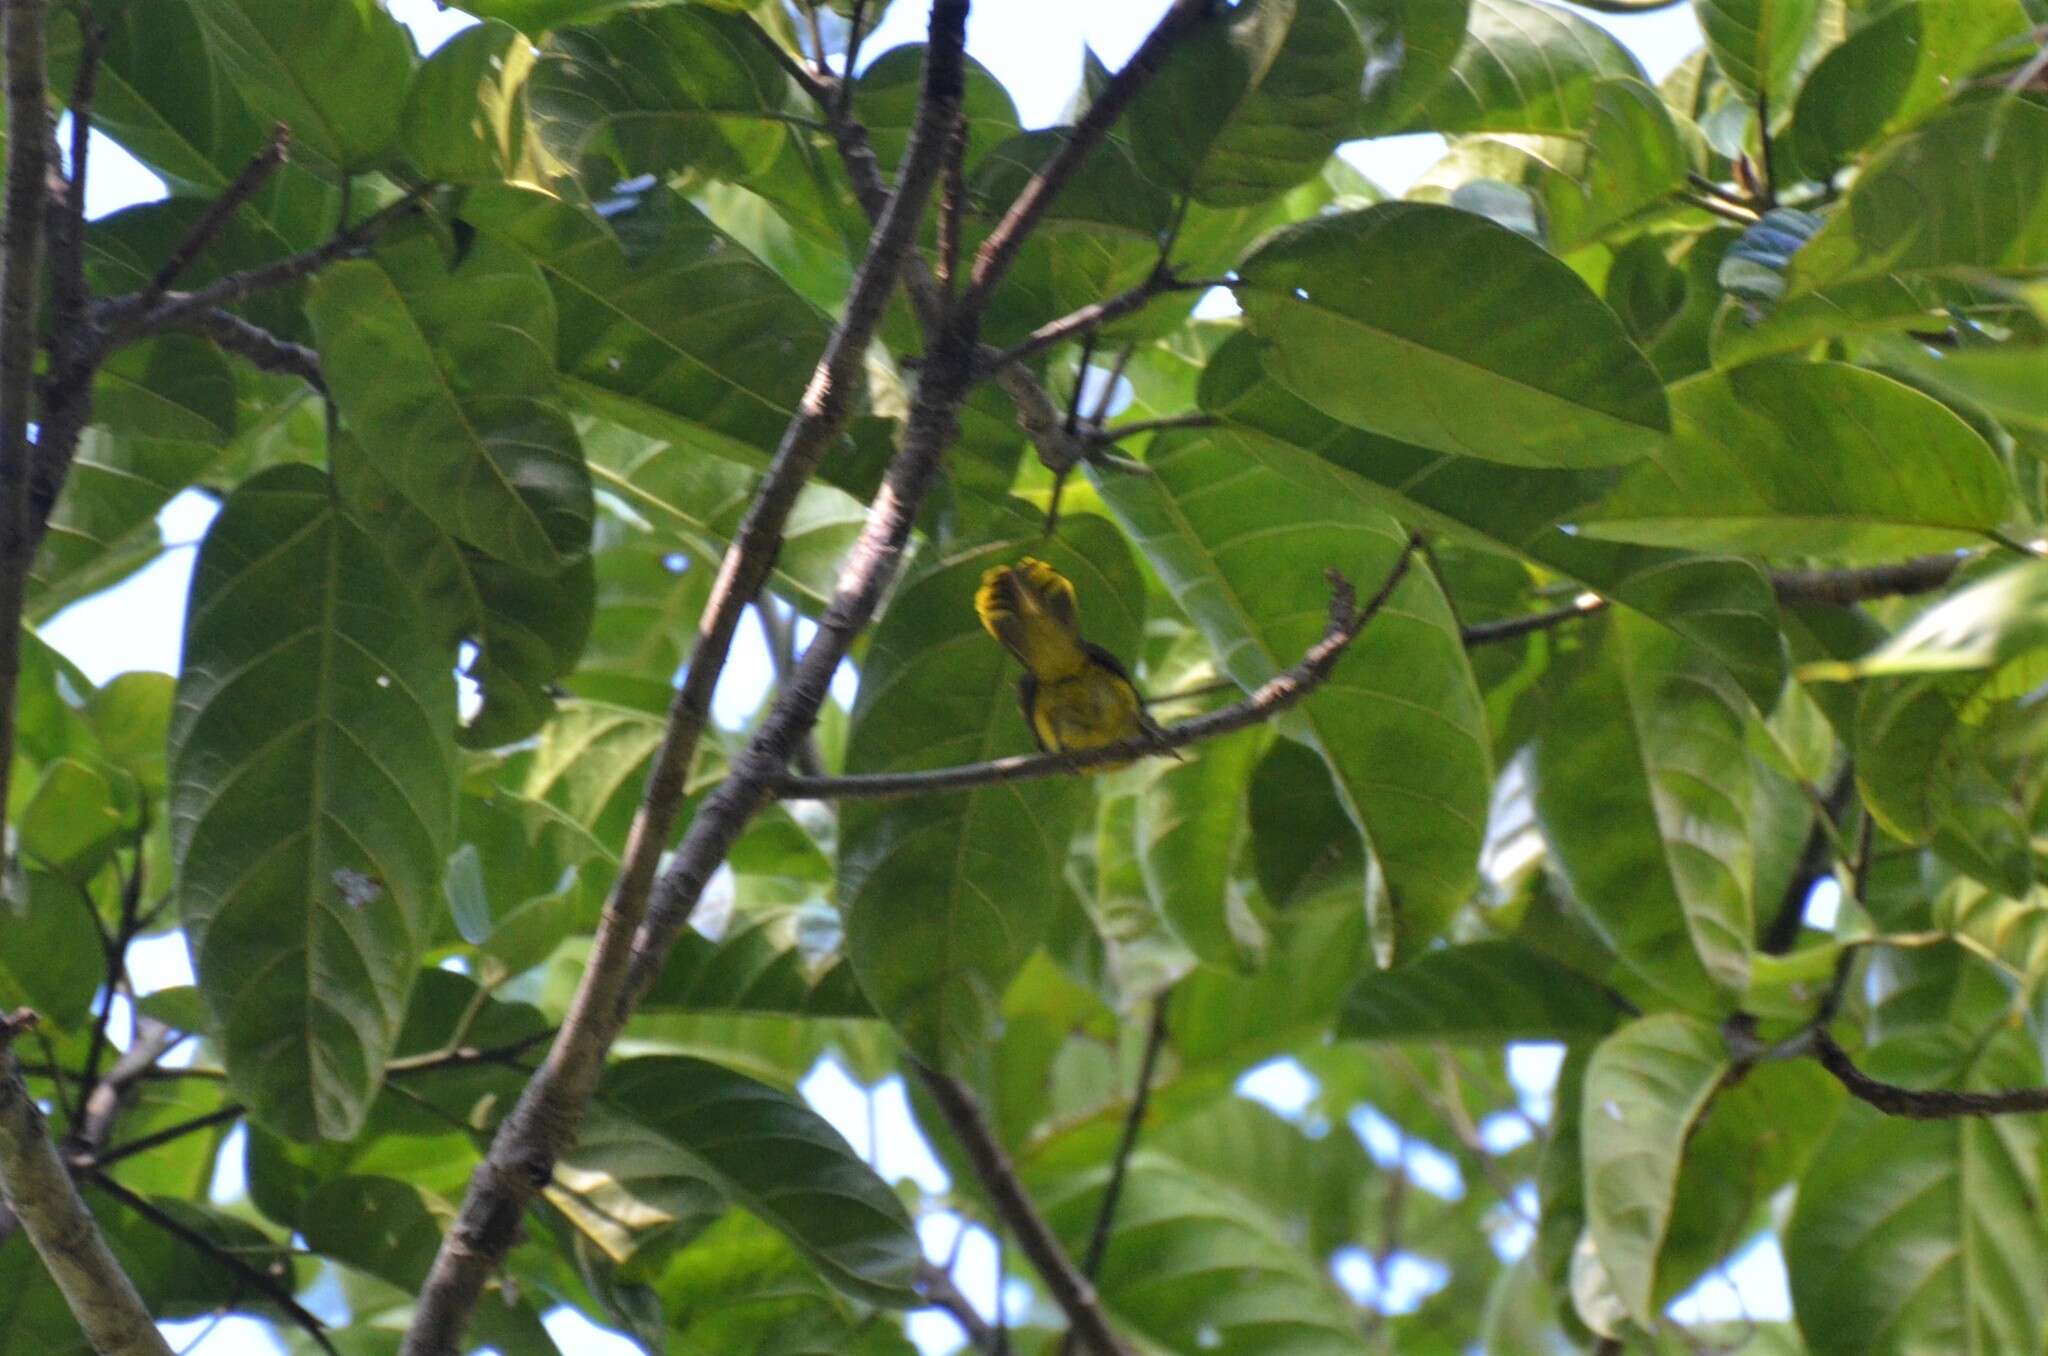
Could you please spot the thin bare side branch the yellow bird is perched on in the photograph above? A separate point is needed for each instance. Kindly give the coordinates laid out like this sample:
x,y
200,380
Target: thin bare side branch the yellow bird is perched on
x,y
1271,700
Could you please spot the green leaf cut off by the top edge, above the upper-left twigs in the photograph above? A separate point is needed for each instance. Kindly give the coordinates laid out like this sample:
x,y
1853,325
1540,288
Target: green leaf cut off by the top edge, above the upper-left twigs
x,y
333,71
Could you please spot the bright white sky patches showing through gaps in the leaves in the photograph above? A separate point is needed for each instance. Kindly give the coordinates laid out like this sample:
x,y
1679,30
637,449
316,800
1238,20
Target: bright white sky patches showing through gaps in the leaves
x,y
1035,50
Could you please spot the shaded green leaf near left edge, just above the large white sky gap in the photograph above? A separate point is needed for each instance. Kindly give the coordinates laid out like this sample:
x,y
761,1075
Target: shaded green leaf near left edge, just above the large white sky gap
x,y
163,415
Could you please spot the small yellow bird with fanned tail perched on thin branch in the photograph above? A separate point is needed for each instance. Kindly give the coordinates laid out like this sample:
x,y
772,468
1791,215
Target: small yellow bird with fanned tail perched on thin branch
x,y
1074,693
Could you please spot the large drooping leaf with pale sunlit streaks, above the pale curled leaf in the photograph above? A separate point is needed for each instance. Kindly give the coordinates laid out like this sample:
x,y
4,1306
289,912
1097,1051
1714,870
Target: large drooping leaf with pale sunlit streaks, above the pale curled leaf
x,y
1644,790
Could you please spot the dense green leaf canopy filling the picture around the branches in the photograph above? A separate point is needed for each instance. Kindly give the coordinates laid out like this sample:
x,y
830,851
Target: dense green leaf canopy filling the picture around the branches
x,y
1578,357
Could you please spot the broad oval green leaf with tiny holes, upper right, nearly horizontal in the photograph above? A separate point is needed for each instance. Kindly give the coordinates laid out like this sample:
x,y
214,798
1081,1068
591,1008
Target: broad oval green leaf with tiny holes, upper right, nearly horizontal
x,y
1531,372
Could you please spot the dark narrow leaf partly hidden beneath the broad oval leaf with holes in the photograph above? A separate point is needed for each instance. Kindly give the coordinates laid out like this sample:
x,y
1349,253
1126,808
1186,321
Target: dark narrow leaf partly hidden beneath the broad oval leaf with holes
x,y
1723,605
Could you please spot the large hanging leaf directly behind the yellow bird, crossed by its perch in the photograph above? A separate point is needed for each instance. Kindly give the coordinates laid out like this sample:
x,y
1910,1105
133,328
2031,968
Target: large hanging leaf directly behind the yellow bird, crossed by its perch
x,y
947,896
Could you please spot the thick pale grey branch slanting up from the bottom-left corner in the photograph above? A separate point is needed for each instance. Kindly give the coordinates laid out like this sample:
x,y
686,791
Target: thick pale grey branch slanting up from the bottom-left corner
x,y
36,1187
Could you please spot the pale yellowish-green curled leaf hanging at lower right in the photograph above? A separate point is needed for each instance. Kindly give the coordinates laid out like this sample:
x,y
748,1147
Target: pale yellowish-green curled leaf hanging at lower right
x,y
1646,1089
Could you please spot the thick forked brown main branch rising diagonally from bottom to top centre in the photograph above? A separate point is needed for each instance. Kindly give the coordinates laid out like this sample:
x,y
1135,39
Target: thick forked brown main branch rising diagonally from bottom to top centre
x,y
632,937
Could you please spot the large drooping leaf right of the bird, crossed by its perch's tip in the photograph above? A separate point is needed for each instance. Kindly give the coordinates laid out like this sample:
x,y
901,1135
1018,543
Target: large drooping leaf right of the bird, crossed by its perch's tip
x,y
1242,529
